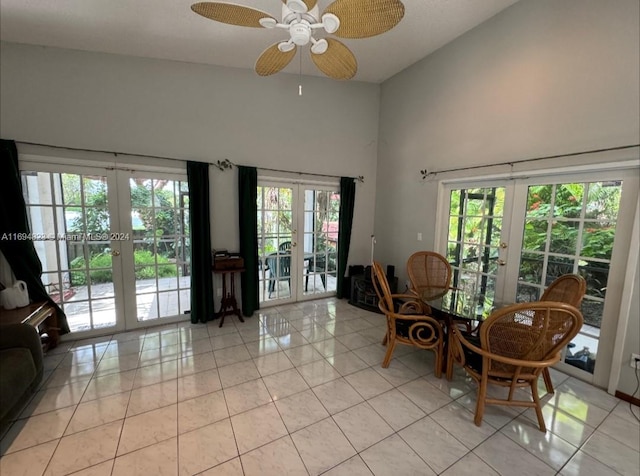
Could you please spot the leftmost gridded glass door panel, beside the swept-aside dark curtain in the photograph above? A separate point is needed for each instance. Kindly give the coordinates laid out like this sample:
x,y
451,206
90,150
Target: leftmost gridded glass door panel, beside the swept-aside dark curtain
x,y
71,225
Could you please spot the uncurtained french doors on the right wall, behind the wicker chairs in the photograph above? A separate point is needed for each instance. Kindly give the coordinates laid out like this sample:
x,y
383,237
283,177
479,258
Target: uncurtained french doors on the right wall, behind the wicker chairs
x,y
508,240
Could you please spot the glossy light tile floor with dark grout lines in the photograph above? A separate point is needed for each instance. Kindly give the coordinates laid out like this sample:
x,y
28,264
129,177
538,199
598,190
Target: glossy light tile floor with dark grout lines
x,y
295,390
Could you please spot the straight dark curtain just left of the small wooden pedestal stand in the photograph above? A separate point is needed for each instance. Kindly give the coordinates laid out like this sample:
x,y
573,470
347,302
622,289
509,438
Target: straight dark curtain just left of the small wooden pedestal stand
x,y
202,309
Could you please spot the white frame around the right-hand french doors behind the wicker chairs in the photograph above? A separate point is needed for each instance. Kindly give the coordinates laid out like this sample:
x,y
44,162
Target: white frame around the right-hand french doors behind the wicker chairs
x,y
628,172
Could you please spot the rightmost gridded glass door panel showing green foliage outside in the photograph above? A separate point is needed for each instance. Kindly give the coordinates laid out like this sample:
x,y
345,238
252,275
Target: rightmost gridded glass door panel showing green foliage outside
x,y
570,228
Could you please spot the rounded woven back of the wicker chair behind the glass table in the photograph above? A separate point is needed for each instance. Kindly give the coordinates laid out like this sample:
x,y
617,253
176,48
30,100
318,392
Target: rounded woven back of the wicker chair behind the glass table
x,y
429,274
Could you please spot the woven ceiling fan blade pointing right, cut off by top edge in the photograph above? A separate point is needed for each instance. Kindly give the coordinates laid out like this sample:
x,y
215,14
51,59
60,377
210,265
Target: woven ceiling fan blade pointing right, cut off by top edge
x,y
365,18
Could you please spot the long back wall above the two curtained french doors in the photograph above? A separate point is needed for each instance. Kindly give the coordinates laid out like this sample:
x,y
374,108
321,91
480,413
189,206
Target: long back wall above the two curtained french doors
x,y
196,112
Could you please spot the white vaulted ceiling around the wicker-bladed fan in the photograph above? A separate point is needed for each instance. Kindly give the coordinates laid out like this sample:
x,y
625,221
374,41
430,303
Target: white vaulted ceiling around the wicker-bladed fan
x,y
168,29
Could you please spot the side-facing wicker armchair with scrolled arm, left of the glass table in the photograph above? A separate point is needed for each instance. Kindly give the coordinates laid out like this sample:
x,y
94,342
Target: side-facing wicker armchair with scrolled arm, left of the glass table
x,y
408,324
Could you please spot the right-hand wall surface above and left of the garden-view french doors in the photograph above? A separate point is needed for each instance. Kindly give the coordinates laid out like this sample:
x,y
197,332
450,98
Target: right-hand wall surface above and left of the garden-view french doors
x,y
540,78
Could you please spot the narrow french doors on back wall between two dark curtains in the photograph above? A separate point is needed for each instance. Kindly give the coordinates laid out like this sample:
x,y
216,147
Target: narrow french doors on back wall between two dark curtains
x,y
297,240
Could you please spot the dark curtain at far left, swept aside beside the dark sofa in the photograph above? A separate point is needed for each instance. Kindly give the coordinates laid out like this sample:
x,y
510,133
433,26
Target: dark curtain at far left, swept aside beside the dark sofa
x,y
20,254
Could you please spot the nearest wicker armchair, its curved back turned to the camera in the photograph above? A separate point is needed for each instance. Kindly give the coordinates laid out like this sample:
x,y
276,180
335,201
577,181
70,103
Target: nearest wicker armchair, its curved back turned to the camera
x,y
516,344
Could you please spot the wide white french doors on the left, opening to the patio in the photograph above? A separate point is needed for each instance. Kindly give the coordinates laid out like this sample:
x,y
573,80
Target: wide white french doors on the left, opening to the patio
x,y
113,244
